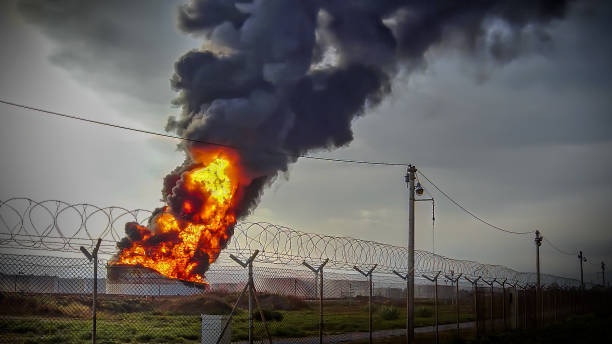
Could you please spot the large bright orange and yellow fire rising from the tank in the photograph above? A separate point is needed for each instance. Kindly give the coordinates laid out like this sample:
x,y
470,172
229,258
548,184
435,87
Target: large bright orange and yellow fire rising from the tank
x,y
184,239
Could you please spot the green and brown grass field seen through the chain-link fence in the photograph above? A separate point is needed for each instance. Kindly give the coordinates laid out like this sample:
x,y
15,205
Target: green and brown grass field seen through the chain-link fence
x,y
65,319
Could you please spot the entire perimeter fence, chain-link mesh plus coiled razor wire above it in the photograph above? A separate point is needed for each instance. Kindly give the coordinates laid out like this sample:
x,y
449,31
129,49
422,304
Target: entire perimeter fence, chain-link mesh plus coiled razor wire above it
x,y
47,298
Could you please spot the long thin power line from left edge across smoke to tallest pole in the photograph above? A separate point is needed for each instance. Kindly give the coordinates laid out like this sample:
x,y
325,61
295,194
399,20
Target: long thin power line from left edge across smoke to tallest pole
x,y
176,137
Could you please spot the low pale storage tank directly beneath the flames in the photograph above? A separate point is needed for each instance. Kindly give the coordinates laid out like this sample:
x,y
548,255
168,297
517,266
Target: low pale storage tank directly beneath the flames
x,y
137,280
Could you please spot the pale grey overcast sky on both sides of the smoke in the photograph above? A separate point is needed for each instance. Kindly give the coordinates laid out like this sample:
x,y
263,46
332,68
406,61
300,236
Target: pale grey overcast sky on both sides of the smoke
x,y
526,144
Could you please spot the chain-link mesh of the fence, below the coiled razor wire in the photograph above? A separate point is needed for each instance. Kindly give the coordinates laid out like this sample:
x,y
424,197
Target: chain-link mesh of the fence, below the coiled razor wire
x,y
46,299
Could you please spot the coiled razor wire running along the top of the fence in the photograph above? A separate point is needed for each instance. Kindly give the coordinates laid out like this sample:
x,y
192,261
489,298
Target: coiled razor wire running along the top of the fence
x,y
54,225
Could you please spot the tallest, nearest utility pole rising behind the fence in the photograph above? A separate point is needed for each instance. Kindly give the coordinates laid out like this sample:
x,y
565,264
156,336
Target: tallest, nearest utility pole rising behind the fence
x,y
410,177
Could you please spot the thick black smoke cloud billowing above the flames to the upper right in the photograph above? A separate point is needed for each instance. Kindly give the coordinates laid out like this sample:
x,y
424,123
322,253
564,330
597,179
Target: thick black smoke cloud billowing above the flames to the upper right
x,y
279,78
